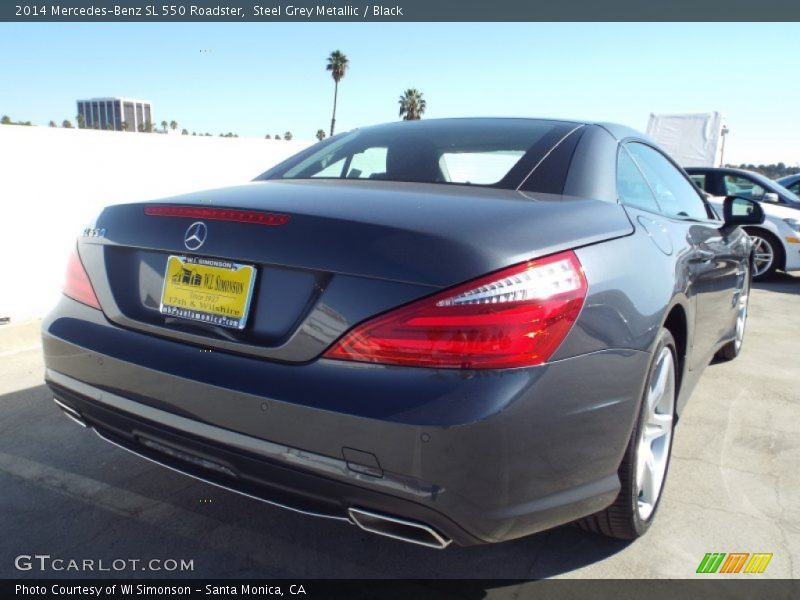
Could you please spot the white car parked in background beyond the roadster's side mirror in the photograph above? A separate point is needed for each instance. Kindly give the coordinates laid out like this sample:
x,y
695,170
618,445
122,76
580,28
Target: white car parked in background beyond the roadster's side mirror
x,y
777,240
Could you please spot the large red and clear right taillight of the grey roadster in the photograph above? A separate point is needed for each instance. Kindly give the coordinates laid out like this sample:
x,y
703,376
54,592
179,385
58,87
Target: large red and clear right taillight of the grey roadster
x,y
512,318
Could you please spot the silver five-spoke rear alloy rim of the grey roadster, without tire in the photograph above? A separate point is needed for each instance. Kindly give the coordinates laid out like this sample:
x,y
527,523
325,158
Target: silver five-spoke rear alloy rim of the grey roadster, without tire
x,y
655,435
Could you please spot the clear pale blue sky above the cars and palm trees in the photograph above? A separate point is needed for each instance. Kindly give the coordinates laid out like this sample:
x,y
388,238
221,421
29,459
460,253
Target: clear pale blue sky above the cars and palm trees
x,y
258,78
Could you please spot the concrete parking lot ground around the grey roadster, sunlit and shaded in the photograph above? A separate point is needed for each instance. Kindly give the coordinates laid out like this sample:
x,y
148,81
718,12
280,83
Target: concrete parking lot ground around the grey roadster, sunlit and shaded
x,y
733,486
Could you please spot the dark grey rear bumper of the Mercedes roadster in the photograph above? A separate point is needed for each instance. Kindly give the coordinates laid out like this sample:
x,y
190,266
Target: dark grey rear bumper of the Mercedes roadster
x,y
479,457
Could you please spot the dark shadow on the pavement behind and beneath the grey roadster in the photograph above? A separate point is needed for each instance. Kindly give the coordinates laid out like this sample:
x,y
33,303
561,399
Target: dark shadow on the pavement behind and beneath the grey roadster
x,y
67,493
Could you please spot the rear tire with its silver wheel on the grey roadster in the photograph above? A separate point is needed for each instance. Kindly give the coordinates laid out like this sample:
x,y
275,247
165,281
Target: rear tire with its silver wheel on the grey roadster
x,y
633,511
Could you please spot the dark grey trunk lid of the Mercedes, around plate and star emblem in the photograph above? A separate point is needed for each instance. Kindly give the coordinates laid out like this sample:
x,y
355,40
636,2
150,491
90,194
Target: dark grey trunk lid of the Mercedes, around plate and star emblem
x,y
349,250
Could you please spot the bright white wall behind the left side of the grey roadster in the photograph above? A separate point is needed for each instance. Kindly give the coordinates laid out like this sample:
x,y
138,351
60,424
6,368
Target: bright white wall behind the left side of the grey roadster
x,y
54,181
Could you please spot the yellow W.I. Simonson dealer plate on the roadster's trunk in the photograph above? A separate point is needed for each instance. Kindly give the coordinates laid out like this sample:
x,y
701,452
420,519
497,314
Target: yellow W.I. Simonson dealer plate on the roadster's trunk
x,y
210,290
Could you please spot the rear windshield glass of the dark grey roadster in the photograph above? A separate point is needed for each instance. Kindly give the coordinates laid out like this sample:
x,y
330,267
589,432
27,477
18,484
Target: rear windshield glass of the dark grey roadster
x,y
484,152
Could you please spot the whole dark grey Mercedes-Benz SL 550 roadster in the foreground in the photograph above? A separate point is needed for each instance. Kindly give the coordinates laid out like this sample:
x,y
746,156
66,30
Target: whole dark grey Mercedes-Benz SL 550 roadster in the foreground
x,y
461,330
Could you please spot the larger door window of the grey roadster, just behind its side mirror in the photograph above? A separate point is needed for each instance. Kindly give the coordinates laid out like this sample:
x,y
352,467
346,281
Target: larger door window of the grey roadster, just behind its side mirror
x,y
675,194
